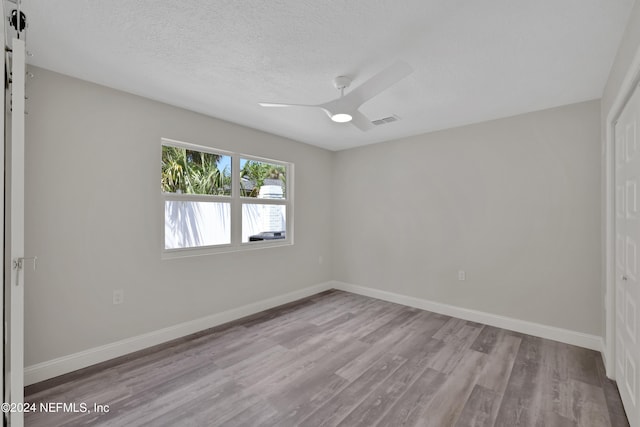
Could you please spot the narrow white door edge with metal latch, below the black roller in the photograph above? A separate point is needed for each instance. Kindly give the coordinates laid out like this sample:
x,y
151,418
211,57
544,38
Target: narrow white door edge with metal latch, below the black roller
x,y
14,236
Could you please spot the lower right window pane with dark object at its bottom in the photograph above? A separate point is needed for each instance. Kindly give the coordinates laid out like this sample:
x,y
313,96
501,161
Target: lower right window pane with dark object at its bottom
x,y
263,222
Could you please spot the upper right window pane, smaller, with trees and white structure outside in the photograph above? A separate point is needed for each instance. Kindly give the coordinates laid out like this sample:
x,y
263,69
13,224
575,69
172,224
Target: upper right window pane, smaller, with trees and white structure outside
x,y
262,180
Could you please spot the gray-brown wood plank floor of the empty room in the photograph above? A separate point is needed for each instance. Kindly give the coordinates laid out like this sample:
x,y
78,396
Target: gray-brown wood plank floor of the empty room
x,y
342,359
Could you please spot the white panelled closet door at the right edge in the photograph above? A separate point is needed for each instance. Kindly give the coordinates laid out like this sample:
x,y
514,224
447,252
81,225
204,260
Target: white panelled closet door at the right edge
x,y
627,225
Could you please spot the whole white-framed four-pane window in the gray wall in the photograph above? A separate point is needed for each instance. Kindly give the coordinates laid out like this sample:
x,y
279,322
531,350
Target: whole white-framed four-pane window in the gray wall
x,y
216,201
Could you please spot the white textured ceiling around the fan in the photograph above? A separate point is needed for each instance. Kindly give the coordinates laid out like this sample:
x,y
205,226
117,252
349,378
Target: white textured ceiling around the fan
x,y
473,60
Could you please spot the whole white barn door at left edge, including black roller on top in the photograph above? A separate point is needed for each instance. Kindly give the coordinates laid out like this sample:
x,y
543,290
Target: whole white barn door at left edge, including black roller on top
x,y
14,258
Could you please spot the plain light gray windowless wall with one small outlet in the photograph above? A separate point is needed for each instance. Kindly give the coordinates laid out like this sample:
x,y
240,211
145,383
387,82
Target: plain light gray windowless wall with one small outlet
x,y
515,202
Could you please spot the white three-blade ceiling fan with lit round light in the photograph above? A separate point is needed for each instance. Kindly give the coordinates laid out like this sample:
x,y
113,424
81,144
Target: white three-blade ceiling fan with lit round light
x,y
345,108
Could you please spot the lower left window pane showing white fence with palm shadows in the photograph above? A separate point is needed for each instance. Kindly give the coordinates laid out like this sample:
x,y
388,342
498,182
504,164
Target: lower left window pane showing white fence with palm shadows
x,y
192,224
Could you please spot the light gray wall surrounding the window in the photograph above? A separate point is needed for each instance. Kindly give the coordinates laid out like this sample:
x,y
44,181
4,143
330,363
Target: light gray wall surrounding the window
x,y
94,219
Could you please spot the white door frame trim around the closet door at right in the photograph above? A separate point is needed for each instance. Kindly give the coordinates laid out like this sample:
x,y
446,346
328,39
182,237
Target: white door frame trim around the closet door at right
x,y
631,79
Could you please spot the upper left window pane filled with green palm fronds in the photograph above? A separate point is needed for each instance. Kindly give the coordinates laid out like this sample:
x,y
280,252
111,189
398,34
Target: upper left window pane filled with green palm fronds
x,y
195,172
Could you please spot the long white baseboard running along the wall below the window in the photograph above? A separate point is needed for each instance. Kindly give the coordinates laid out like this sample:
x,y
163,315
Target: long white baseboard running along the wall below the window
x,y
62,365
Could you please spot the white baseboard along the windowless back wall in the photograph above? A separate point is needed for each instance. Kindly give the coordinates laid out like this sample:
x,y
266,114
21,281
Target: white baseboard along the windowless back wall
x,y
580,339
